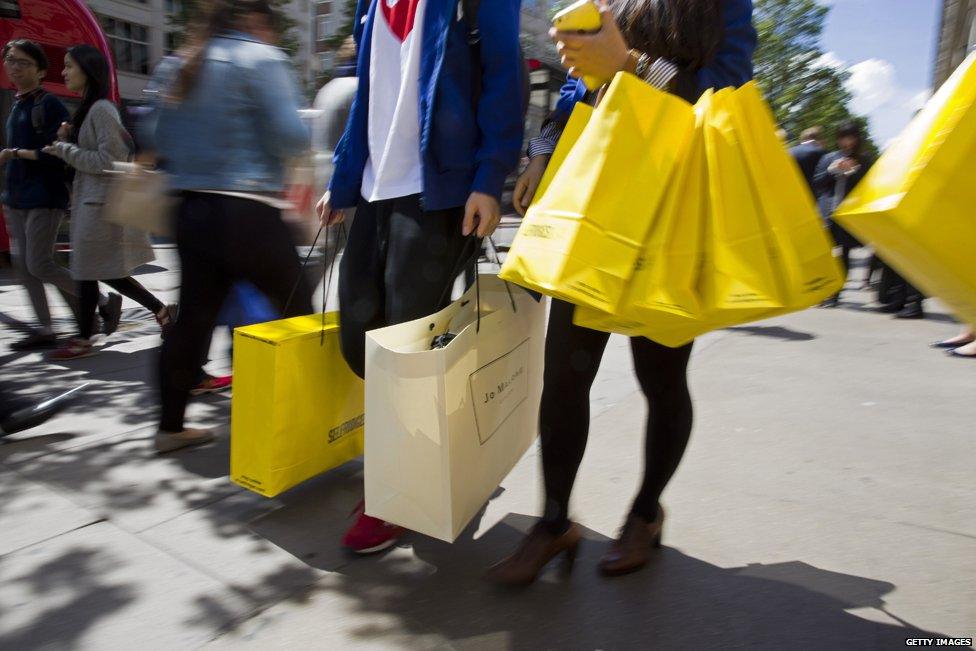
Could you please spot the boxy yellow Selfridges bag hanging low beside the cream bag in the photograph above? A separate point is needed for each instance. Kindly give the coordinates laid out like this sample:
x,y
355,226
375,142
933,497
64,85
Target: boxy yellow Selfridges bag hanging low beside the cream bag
x,y
297,409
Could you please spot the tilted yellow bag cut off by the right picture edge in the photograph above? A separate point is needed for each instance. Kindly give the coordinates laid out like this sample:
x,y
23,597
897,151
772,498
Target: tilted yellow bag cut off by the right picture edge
x,y
916,204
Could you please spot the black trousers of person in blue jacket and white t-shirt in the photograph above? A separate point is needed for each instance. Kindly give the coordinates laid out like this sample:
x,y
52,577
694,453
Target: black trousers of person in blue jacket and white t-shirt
x,y
399,265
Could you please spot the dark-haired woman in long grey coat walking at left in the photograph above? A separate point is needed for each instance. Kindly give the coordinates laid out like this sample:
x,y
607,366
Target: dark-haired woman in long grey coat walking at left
x,y
101,251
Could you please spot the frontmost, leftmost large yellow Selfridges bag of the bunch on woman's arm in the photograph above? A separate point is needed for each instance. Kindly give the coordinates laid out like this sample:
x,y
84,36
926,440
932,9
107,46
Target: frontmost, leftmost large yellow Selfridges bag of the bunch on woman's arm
x,y
580,240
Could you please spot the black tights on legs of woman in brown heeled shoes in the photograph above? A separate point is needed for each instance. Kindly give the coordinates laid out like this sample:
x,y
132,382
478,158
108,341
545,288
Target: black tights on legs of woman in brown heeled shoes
x,y
573,357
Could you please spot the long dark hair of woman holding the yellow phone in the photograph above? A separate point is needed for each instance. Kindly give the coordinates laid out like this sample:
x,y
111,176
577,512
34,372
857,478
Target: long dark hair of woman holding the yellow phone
x,y
687,32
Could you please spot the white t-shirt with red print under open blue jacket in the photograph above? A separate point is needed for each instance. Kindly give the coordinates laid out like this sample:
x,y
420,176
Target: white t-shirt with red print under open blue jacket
x,y
394,168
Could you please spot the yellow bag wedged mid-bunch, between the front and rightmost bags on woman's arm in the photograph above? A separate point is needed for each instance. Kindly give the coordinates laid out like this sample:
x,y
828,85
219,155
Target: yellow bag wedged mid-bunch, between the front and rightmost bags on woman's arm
x,y
661,300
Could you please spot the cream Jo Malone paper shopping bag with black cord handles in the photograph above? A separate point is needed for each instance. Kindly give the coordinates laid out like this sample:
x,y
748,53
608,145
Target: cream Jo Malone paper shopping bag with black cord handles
x,y
445,426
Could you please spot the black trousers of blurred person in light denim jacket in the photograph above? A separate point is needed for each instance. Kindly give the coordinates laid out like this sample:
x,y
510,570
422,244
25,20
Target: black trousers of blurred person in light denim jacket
x,y
223,240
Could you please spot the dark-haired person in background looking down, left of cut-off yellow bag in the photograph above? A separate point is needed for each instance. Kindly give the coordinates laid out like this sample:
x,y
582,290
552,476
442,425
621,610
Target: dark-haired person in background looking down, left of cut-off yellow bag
x,y
838,173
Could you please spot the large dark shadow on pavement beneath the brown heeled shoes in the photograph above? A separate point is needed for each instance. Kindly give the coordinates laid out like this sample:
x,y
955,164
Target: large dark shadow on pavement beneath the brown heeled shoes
x,y
677,602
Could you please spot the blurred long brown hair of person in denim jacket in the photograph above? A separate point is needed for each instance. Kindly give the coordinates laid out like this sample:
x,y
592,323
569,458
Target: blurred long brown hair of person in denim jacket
x,y
220,16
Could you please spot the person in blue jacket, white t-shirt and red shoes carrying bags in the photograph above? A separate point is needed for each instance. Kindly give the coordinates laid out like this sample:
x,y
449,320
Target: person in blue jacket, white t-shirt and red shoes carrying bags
x,y
433,133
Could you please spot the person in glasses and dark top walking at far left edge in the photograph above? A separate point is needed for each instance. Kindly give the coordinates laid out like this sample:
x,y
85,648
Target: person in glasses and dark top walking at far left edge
x,y
36,192
